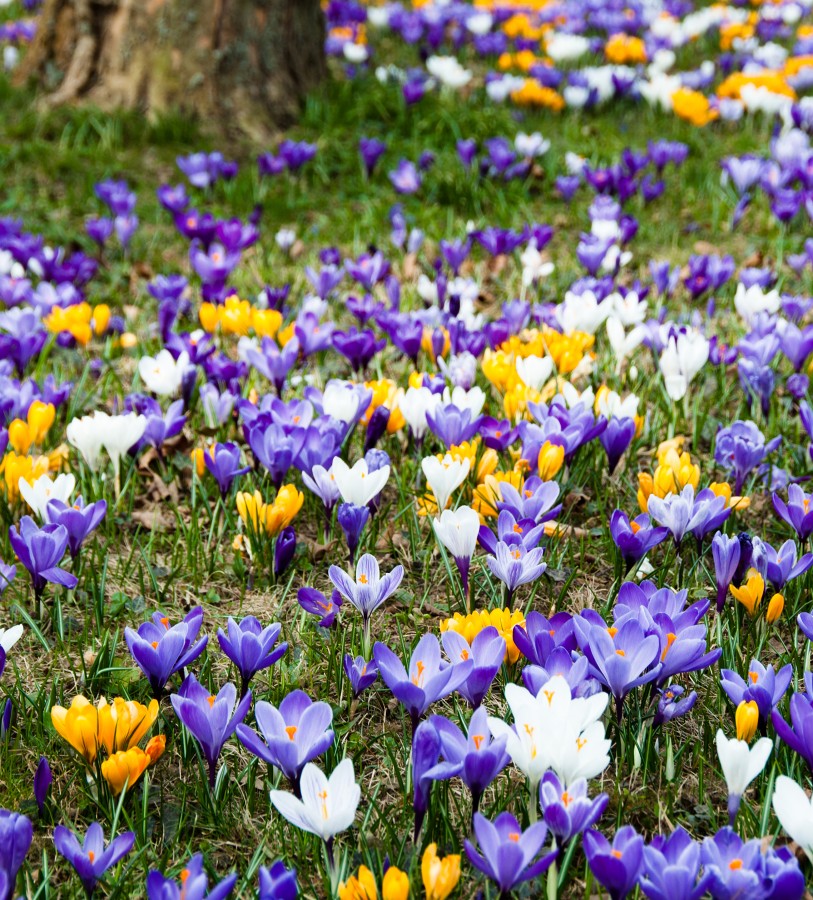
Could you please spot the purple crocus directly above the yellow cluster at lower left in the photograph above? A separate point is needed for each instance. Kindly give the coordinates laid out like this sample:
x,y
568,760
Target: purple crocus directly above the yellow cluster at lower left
x,y
160,650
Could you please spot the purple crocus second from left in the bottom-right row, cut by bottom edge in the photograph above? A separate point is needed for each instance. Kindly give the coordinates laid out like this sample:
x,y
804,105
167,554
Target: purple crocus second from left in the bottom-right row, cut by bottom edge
x,y
671,868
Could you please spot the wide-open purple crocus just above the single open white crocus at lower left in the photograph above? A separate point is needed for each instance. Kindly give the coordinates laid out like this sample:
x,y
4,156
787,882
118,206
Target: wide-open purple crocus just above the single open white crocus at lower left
x,y
292,736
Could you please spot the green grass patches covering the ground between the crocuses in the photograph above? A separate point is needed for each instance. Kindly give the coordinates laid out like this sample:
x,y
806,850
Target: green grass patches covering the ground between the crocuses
x,y
166,544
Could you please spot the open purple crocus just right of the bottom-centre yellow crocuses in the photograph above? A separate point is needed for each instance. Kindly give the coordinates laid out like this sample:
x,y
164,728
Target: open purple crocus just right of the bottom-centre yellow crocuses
x,y
507,855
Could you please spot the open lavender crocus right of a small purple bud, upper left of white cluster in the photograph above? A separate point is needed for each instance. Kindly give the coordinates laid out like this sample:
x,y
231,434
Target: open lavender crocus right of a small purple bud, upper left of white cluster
x,y
429,678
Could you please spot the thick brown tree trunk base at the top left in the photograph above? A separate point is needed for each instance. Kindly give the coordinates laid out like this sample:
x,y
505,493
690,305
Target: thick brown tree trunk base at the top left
x,y
242,66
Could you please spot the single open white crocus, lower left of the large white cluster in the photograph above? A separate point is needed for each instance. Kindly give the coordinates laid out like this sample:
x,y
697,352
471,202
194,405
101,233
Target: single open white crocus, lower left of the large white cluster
x,y
328,805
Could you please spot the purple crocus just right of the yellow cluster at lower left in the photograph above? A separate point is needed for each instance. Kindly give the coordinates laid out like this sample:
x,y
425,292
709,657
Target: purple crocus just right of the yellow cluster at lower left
x,y
211,719
